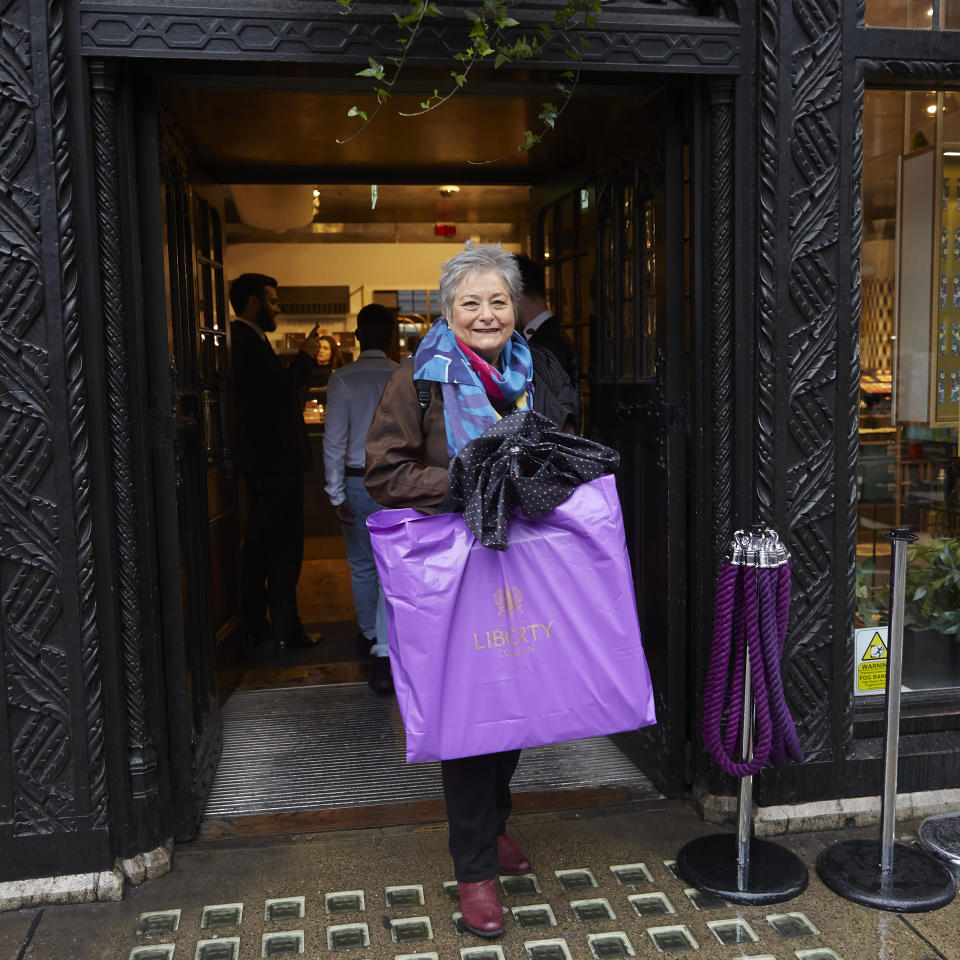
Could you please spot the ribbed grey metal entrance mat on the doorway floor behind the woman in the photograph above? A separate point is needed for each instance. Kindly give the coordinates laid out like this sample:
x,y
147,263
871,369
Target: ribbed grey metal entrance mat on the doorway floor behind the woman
x,y
341,745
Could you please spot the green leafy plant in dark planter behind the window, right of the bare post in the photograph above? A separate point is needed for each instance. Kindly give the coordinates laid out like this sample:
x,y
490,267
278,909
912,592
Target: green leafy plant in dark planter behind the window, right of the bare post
x,y
931,614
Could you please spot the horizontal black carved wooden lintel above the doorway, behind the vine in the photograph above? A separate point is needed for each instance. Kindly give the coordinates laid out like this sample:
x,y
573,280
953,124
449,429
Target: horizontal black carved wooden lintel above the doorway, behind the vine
x,y
666,36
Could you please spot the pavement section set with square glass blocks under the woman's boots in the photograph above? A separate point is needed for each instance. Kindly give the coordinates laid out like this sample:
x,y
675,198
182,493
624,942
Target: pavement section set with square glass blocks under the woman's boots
x,y
544,920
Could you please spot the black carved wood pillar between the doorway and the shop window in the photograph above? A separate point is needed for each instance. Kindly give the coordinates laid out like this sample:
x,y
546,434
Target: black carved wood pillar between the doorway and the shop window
x,y
799,488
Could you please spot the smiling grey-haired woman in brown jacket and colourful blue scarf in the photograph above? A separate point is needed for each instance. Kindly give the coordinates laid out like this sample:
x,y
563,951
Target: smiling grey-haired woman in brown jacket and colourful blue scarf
x,y
471,369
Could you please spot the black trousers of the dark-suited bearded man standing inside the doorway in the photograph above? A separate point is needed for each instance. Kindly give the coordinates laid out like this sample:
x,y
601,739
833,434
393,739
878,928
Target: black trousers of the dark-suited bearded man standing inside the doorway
x,y
272,554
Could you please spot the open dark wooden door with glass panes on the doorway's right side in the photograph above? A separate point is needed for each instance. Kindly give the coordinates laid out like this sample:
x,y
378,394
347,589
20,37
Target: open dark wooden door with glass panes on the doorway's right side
x,y
627,284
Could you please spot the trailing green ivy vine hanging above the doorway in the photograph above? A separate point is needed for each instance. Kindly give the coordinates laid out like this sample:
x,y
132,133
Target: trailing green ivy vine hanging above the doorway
x,y
491,39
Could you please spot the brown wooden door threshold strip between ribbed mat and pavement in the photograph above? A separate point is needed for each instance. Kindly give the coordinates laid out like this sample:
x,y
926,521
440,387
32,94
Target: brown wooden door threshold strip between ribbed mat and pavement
x,y
399,814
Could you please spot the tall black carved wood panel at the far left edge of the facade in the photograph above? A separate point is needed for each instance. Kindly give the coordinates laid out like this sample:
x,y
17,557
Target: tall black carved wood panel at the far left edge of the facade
x,y
48,613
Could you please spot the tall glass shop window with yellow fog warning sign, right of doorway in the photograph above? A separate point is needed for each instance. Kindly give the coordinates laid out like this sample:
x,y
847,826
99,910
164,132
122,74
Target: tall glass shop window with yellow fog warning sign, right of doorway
x,y
909,423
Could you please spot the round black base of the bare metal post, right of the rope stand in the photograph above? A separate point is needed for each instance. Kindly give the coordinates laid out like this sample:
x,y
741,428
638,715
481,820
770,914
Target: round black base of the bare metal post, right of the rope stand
x,y
851,868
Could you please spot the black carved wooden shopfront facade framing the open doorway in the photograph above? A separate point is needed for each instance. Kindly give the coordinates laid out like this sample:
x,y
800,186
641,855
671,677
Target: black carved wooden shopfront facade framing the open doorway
x,y
83,777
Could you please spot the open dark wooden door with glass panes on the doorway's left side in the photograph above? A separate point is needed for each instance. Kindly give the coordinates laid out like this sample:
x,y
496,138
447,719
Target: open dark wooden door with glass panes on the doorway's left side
x,y
196,496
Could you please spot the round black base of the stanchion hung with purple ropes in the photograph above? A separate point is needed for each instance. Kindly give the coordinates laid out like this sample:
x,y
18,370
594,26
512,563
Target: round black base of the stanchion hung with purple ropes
x,y
710,864
